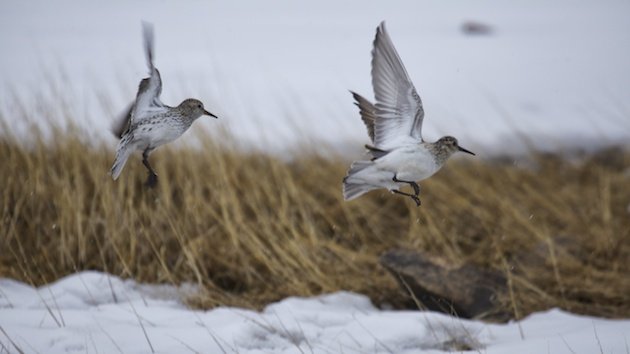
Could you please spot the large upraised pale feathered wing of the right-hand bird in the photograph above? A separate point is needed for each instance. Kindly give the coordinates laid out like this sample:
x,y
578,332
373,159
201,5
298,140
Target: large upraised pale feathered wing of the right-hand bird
x,y
399,111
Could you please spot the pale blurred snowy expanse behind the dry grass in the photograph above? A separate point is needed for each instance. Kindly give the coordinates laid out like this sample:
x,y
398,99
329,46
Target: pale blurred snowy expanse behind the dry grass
x,y
554,74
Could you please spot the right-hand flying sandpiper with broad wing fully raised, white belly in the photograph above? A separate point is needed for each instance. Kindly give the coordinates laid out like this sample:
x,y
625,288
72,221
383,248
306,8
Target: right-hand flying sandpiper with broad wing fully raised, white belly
x,y
399,155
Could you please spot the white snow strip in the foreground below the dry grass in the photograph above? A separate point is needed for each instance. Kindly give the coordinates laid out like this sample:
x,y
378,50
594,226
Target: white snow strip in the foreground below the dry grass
x,y
96,312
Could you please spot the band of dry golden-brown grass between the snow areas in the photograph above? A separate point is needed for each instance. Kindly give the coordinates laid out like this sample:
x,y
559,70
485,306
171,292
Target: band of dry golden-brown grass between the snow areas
x,y
251,228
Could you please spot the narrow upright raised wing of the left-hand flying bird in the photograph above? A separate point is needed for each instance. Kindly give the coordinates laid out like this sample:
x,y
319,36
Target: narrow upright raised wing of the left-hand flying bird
x,y
150,88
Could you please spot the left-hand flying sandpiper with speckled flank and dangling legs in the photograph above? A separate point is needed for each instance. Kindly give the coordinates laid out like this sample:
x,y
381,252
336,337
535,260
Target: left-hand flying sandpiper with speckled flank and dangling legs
x,y
150,123
